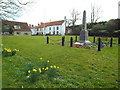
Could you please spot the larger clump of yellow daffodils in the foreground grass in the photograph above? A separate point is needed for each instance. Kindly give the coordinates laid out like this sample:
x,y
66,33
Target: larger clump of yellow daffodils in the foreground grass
x,y
45,68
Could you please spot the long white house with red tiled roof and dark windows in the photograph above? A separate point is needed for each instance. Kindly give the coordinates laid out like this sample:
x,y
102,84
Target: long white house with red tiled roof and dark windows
x,y
52,28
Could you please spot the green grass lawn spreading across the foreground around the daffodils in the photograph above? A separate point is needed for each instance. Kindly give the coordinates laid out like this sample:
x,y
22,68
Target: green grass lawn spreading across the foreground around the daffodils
x,y
79,68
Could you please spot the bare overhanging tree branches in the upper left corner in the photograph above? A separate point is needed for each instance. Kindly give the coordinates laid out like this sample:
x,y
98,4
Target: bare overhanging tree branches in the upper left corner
x,y
9,9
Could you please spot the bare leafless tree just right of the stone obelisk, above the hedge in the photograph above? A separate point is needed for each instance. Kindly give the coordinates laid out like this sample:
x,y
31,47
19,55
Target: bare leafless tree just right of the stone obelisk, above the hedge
x,y
95,13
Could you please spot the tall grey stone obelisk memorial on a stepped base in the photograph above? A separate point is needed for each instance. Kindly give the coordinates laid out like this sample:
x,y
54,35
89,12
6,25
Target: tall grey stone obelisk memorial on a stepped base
x,y
84,32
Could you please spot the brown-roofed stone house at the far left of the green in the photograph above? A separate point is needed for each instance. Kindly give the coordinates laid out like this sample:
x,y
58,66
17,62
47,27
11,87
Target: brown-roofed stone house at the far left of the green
x,y
14,28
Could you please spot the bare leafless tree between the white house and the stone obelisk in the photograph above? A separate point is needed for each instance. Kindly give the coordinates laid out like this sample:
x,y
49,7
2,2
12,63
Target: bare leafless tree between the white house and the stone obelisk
x,y
74,17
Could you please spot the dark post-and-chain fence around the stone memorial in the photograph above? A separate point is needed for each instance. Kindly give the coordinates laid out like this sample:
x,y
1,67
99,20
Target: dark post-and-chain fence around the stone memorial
x,y
99,41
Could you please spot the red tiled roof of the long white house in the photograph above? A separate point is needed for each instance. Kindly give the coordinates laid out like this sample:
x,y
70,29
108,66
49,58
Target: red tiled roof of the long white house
x,y
51,24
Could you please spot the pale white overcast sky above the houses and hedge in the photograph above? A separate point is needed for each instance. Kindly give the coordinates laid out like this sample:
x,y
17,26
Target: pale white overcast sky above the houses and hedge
x,y
53,10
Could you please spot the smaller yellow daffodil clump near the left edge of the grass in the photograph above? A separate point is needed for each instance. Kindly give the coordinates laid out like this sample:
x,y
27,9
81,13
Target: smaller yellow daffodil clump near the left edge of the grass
x,y
9,52
